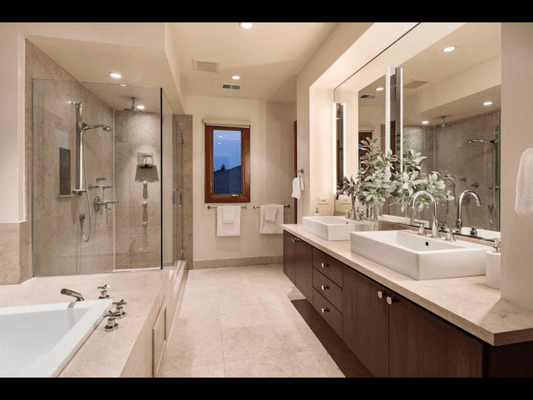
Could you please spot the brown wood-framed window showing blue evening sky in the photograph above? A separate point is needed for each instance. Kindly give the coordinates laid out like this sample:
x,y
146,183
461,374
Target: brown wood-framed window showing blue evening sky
x,y
227,164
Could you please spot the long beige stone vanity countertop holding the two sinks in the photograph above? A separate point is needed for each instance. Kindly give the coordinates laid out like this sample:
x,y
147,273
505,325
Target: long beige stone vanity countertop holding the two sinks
x,y
465,302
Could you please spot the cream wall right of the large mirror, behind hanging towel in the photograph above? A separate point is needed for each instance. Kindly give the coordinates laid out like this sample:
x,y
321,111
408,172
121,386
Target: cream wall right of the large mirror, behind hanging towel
x,y
517,100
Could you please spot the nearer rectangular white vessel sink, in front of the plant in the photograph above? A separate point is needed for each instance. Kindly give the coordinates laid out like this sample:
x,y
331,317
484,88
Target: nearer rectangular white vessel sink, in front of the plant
x,y
420,257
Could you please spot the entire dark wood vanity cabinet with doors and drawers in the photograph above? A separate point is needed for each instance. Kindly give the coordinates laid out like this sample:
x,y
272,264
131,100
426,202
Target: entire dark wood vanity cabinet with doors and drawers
x,y
390,334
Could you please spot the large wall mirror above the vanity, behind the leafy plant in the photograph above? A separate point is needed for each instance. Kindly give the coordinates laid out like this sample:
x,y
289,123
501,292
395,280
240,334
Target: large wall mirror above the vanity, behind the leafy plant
x,y
451,79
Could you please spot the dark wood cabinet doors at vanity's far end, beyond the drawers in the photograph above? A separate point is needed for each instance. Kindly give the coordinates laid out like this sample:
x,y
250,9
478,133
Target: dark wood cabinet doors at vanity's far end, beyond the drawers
x,y
298,263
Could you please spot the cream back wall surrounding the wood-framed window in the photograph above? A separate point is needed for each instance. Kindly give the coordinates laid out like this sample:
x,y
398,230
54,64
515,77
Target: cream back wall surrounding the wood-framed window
x,y
272,171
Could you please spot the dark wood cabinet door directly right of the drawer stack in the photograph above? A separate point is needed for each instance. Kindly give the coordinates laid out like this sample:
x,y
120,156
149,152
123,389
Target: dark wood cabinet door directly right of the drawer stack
x,y
365,321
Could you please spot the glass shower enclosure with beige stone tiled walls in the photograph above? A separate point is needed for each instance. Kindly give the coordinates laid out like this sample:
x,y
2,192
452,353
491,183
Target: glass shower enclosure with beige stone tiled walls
x,y
105,190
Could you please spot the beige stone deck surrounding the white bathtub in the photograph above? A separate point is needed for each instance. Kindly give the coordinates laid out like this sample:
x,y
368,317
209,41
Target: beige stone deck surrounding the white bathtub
x,y
104,354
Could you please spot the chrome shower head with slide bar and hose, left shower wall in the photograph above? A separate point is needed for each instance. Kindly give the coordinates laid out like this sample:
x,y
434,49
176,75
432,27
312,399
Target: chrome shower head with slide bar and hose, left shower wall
x,y
81,173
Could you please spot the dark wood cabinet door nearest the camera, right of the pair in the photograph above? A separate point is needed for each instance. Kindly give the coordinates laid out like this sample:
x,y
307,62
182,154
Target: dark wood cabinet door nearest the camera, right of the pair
x,y
424,345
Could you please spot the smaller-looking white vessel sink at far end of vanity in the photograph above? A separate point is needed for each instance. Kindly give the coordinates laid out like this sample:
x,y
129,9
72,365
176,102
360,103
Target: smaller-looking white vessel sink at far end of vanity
x,y
334,228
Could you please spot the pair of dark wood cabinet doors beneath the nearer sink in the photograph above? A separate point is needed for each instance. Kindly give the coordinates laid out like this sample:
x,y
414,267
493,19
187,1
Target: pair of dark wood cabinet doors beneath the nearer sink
x,y
395,337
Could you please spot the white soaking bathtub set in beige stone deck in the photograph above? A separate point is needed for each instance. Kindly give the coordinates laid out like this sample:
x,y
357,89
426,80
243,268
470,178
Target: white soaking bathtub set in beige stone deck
x,y
40,340
